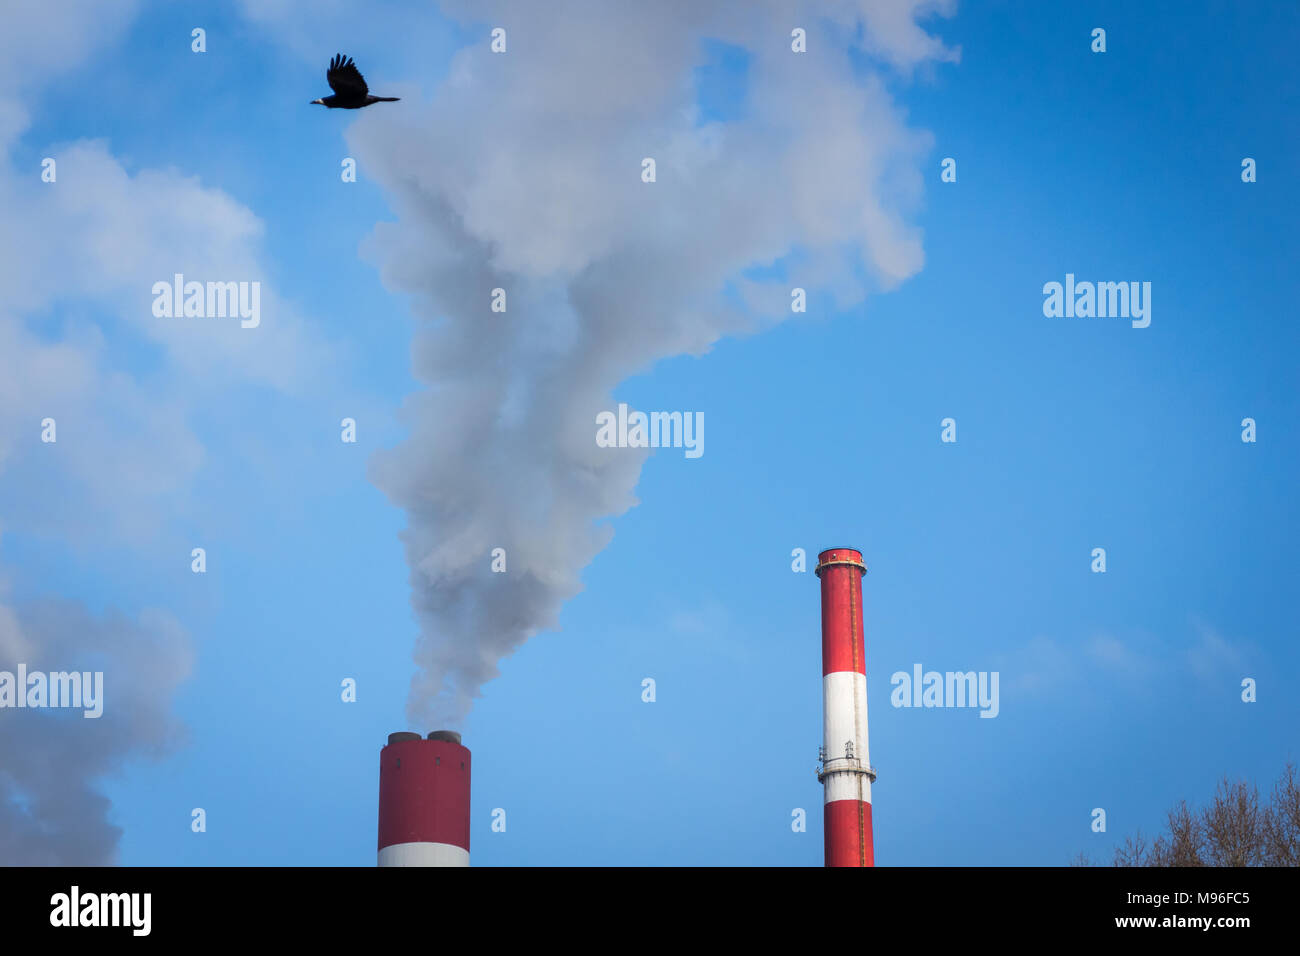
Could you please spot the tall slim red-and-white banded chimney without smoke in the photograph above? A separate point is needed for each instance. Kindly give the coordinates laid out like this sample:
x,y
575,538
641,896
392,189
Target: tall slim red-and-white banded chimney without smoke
x,y
846,769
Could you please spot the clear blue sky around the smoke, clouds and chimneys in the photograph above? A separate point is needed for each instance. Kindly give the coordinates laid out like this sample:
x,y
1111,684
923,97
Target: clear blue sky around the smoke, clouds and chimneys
x,y
1119,690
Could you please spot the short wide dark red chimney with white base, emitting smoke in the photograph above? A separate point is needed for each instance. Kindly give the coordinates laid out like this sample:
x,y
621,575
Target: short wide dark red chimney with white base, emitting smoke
x,y
424,801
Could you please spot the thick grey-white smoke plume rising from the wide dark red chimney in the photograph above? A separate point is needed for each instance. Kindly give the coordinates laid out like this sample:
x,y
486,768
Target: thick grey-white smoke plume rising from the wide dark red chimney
x,y
525,174
